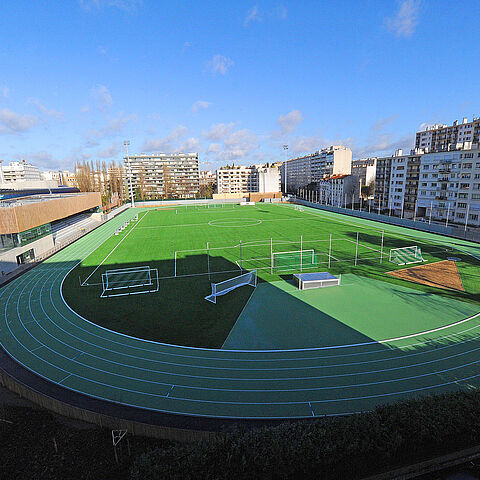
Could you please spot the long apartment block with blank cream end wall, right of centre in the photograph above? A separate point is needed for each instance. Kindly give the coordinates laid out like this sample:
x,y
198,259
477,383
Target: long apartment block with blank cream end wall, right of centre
x,y
301,171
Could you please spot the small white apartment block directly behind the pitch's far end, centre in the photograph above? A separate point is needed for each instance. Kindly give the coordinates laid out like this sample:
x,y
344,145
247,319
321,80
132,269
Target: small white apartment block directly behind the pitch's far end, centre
x,y
253,179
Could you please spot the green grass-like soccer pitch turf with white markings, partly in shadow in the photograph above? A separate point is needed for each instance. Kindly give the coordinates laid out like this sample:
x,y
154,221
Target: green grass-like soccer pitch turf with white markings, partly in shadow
x,y
178,313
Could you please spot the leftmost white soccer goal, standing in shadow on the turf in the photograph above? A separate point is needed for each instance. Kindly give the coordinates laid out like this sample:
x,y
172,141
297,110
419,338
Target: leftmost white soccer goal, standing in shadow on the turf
x,y
129,281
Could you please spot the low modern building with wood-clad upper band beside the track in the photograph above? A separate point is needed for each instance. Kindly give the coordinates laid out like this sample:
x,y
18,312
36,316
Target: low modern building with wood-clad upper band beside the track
x,y
26,224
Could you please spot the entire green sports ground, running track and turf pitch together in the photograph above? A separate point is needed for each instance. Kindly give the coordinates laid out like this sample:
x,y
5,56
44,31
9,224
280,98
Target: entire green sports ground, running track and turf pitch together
x,y
357,363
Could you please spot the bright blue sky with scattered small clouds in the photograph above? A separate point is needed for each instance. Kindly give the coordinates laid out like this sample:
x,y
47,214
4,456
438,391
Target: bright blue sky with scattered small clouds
x,y
231,80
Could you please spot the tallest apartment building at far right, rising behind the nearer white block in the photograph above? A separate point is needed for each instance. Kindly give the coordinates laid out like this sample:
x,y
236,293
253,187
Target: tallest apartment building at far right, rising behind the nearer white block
x,y
442,137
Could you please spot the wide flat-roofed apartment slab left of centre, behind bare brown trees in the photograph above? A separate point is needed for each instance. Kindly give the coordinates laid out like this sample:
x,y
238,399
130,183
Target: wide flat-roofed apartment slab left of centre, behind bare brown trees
x,y
163,175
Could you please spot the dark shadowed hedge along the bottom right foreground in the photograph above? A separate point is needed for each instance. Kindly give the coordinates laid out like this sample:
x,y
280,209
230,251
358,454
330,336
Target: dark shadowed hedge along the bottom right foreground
x,y
329,448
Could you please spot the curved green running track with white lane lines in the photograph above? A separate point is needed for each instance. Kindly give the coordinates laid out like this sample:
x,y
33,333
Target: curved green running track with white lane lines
x,y
40,332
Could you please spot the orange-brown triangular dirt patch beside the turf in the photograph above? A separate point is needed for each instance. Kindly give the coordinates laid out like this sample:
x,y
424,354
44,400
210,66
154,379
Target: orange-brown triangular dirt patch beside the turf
x,y
442,274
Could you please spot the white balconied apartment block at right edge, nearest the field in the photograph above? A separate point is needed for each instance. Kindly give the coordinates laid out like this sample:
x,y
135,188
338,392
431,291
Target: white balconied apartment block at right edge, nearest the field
x,y
449,186
